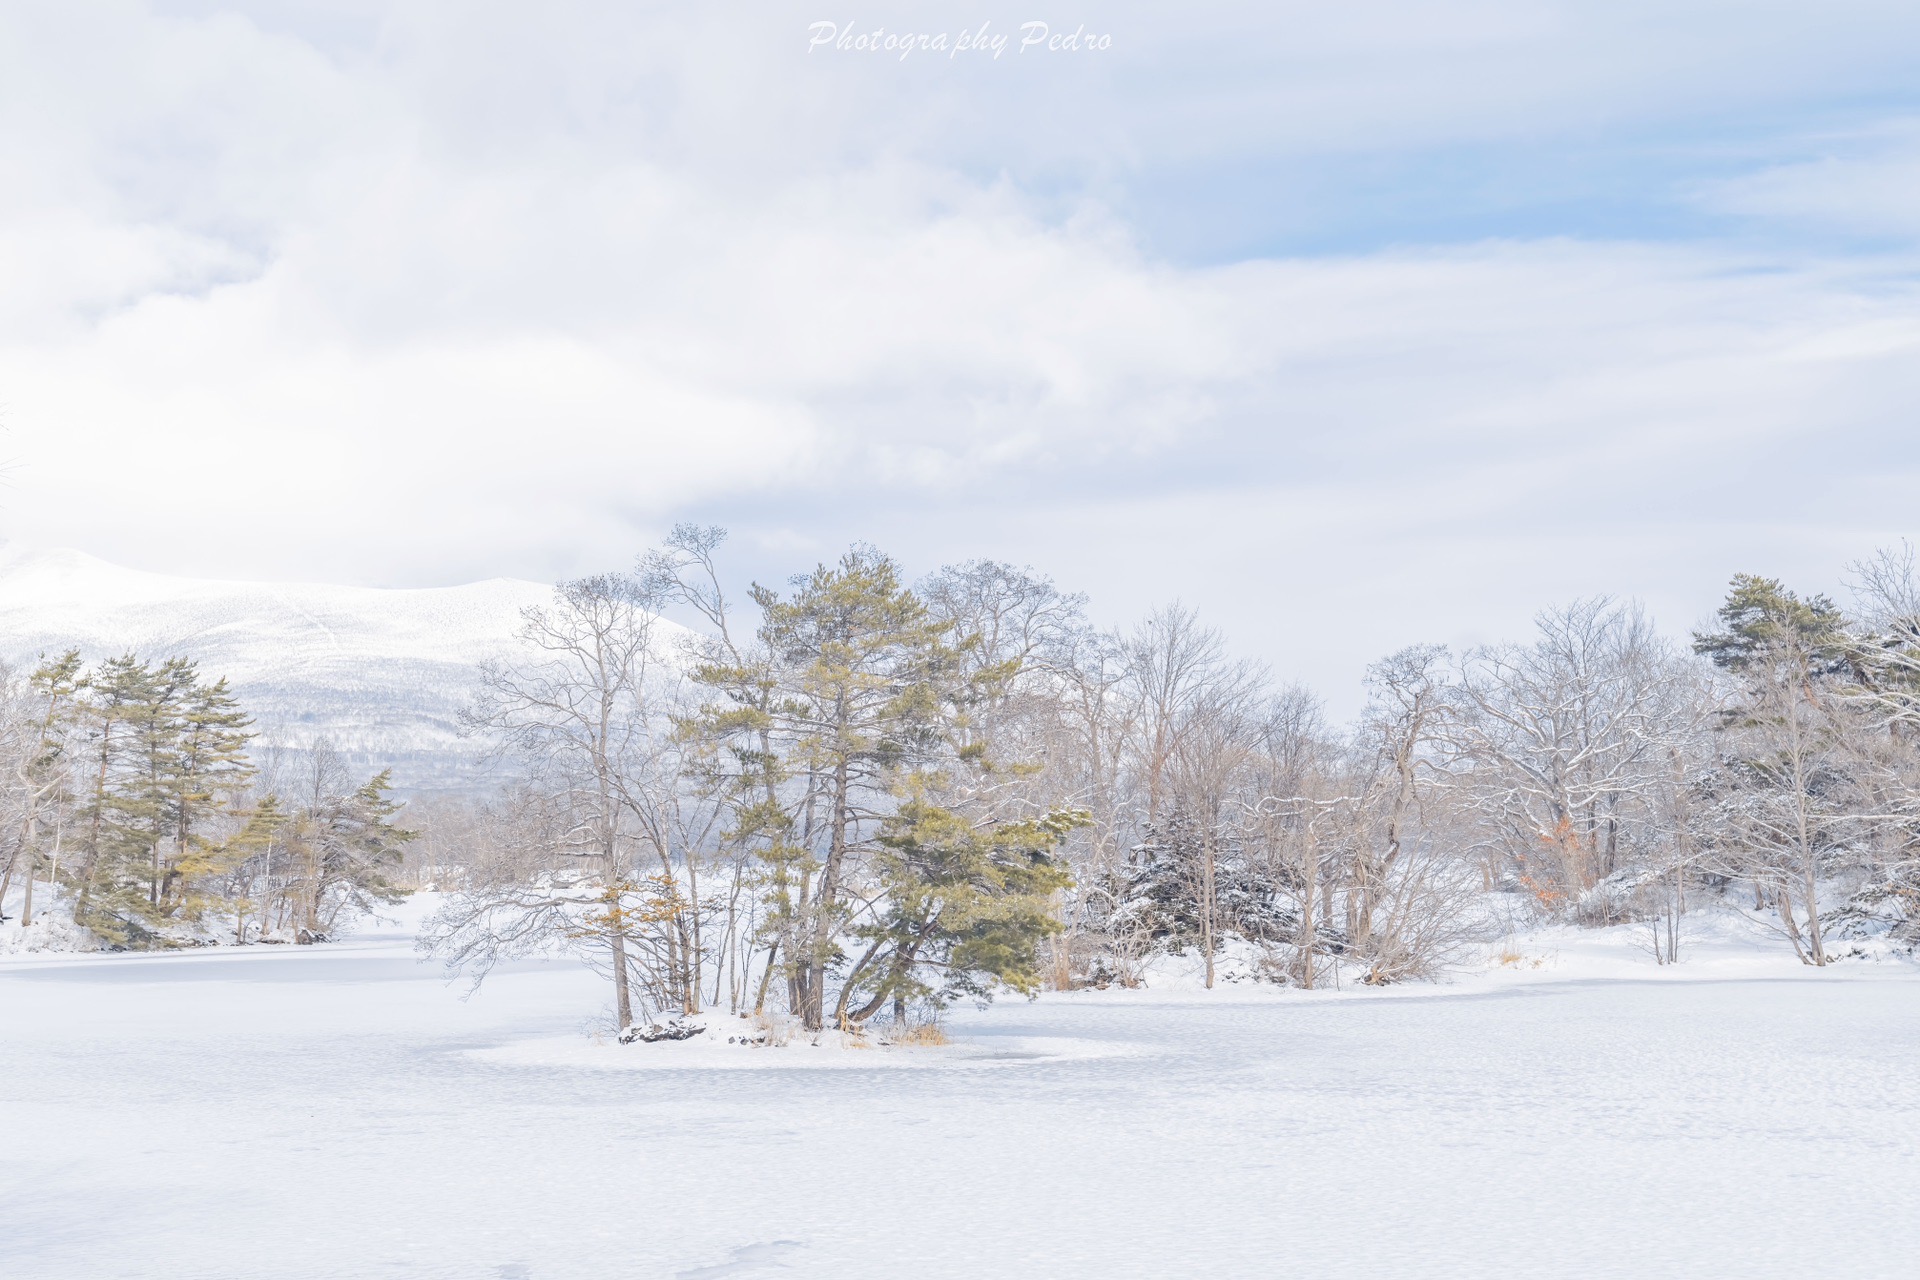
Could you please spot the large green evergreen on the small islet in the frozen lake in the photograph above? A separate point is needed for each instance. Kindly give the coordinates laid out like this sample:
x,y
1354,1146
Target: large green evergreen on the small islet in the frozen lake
x,y
838,740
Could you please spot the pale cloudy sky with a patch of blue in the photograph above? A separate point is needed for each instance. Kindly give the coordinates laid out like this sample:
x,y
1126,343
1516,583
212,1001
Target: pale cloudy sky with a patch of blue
x,y
1349,325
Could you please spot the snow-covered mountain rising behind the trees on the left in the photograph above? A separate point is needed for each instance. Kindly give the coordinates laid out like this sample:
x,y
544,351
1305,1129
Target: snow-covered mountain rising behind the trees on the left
x,y
381,671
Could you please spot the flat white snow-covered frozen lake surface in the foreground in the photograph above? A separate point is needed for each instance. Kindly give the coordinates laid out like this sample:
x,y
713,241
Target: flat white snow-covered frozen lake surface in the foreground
x,y
343,1112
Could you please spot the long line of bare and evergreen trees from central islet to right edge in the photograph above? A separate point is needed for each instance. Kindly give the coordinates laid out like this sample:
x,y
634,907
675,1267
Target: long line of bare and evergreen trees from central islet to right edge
x,y
859,797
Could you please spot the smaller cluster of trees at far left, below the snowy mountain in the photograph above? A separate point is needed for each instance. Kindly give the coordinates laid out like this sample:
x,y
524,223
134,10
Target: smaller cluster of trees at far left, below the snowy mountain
x,y
141,807
